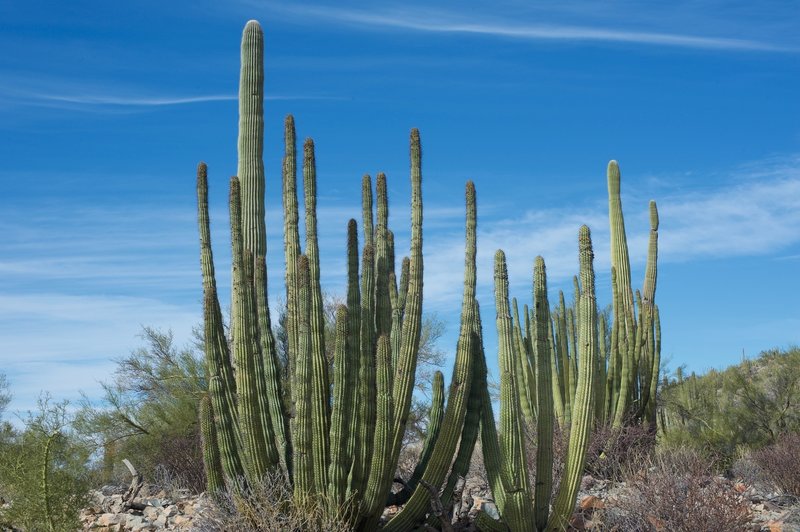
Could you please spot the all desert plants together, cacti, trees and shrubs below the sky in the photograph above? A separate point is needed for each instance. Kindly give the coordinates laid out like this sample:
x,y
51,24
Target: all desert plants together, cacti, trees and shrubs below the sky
x,y
310,421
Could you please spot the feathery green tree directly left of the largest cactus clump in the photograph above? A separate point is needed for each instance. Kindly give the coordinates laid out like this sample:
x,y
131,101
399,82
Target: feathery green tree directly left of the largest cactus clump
x,y
149,411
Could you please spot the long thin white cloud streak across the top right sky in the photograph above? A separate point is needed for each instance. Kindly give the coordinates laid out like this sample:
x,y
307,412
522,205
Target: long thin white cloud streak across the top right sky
x,y
439,21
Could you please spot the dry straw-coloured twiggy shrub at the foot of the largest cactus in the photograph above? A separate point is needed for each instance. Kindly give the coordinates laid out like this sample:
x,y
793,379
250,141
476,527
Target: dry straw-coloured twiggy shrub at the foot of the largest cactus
x,y
270,505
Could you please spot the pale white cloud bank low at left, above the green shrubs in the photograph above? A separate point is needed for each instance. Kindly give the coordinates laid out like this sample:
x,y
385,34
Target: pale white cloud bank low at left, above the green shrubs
x,y
65,343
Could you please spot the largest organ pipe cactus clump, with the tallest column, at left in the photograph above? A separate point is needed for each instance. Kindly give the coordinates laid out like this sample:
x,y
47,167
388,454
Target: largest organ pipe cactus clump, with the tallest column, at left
x,y
346,448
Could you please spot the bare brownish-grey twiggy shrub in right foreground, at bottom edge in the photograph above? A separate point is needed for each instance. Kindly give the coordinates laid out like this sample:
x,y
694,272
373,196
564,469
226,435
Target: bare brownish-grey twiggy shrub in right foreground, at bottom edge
x,y
678,491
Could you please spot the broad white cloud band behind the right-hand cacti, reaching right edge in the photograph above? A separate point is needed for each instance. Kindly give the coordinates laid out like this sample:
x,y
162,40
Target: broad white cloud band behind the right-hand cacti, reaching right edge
x,y
753,213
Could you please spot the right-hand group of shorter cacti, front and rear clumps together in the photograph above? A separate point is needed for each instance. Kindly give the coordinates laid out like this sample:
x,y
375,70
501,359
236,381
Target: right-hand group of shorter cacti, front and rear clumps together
x,y
562,366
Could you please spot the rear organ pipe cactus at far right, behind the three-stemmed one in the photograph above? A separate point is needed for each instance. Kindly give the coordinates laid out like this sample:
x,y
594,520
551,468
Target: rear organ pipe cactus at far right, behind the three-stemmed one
x,y
628,367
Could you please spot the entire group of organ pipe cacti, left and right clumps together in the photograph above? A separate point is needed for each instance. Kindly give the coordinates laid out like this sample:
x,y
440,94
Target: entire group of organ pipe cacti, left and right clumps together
x,y
336,430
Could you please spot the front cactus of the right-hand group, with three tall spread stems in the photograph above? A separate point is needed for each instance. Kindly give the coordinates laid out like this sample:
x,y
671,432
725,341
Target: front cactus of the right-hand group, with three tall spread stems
x,y
521,508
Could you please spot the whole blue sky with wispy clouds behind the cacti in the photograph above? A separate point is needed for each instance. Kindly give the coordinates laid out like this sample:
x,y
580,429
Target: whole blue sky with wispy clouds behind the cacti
x,y
106,108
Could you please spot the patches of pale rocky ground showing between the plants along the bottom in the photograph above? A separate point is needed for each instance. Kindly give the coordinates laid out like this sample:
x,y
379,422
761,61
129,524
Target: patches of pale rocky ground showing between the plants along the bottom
x,y
599,508
